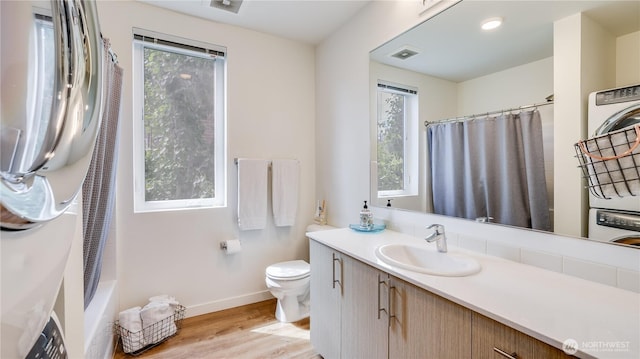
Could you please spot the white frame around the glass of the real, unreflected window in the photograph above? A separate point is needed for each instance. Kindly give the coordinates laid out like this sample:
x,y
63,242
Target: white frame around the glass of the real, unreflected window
x,y
181,46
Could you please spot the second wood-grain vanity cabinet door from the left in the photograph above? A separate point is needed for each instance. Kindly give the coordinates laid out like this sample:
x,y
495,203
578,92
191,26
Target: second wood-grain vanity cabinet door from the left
x,y
364,311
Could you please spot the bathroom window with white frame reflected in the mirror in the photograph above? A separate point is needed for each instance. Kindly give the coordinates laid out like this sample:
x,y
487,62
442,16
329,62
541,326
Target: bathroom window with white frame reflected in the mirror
x,y
397,114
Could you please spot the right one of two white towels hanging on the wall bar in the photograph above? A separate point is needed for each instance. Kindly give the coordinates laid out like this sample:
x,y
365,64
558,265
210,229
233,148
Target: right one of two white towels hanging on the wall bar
x,y
285,183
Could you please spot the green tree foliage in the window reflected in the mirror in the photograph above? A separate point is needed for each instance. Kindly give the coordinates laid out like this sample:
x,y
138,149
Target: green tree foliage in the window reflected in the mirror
x,y
390,141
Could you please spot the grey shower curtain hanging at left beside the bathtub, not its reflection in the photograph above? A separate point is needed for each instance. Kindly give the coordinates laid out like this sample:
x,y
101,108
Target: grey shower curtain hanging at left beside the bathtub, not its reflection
x,y
98,189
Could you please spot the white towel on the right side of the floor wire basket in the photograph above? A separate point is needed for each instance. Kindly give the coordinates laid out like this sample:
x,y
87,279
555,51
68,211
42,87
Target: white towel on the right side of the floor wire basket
x,y
157,321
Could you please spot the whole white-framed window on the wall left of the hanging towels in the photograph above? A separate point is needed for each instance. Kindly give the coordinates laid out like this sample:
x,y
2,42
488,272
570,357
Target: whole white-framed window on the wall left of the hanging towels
x,y
179,123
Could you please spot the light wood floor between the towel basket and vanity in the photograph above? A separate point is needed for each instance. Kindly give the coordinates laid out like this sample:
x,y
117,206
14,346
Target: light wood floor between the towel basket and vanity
x,y
246,332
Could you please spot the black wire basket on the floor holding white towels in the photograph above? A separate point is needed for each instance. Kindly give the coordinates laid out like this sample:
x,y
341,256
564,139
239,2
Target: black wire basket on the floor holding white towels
x,y
137,342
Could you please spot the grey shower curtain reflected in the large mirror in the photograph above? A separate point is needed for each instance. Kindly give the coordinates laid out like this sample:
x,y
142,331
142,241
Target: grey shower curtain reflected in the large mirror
x,y
490,167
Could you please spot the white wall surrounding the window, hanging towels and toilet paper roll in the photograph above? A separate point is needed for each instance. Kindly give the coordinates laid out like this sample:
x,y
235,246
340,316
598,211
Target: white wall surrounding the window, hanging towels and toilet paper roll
x,y
270,115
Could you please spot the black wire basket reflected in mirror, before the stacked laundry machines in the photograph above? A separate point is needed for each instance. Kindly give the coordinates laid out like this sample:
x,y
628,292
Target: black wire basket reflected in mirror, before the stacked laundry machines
x,y
611,163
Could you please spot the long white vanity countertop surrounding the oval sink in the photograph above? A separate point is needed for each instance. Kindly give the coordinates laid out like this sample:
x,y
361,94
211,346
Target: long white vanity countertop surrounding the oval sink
x,y
549,306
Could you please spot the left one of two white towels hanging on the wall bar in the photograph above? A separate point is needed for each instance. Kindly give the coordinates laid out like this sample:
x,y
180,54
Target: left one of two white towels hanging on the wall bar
x,y
252,193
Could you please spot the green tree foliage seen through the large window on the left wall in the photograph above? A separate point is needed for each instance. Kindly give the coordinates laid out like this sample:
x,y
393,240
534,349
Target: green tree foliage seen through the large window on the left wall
x,y
179,126
